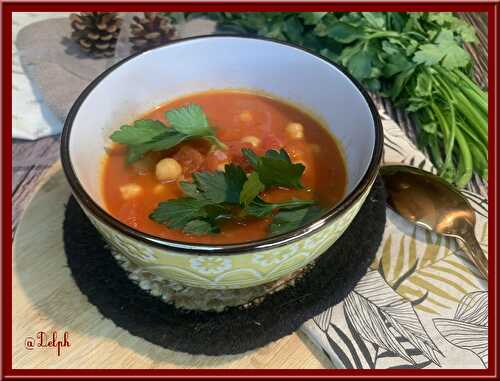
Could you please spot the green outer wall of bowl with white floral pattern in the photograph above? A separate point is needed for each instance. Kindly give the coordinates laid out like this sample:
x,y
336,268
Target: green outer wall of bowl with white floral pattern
x,y
236,270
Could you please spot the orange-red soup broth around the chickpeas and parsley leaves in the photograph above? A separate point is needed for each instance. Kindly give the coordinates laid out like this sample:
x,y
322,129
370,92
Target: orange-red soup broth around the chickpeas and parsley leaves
x,y
234,115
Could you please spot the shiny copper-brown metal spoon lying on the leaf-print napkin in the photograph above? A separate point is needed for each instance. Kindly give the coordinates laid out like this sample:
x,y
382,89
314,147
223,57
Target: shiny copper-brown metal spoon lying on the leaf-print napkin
x,y
432,203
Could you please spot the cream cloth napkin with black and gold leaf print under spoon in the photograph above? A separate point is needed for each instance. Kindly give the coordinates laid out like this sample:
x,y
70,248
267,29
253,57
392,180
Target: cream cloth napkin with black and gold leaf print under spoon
x,y
422,303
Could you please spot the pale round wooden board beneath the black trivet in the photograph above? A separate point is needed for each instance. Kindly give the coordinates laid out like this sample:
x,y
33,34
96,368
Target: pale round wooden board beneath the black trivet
x,y
45,298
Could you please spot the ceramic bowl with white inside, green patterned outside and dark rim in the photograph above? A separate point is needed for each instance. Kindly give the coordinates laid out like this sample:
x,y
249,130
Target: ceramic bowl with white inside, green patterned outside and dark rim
x,y
142,81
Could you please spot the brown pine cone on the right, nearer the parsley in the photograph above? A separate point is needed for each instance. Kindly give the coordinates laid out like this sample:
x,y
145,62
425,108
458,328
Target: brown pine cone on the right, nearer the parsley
x,y
151,31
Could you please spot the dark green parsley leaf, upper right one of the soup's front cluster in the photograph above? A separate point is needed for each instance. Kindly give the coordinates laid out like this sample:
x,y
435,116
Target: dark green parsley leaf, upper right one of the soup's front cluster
x,y
276,168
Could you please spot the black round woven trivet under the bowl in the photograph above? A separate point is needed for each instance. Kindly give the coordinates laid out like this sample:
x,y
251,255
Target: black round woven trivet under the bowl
x,y
234,330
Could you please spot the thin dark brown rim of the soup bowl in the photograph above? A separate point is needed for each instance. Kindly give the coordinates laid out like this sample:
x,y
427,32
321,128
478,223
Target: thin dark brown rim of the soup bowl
x,y
222,249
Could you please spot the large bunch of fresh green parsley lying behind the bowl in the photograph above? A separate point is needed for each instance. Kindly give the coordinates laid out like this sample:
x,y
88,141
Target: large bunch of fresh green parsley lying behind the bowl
x,y
417,59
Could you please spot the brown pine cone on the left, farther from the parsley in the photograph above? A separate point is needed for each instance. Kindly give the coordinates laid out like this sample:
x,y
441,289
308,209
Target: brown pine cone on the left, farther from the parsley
x,y
96,32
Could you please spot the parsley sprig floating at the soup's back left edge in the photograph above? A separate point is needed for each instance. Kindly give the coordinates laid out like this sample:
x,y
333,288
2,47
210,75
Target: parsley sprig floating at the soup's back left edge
x,y
145,135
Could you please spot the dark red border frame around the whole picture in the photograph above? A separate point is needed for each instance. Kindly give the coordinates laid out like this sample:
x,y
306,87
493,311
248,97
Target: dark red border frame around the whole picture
x,y
493,10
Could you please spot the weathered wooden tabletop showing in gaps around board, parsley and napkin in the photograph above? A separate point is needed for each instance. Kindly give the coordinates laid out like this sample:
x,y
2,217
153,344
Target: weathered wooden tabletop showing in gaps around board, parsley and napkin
x,y
31,158
